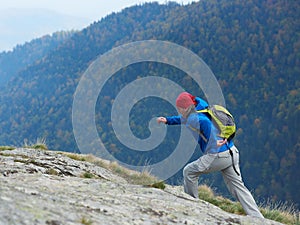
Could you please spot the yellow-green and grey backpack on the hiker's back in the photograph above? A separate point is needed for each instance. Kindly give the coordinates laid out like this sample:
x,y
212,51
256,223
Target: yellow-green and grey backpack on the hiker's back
x,y
222,119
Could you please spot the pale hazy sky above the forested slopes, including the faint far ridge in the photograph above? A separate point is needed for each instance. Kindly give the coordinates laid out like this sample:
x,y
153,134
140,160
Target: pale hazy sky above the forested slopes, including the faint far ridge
x,y
24,20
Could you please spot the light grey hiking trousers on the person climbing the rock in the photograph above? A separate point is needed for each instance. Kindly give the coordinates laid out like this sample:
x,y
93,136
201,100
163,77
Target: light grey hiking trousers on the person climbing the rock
x,y
221,162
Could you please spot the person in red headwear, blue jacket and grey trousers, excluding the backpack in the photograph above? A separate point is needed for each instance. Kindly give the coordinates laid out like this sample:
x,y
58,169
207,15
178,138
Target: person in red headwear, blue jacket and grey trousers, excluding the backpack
x,y
216,153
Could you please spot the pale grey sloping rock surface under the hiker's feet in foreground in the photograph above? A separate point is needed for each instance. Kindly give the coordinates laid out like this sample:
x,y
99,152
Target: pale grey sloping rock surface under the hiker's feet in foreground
x,y
46,187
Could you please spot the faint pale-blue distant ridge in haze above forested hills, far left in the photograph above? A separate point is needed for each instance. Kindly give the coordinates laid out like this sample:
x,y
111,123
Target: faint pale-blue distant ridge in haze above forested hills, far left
x,y
20,25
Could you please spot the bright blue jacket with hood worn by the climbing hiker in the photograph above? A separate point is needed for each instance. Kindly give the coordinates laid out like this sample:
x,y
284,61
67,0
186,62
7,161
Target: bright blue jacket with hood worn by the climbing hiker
x,y
199,121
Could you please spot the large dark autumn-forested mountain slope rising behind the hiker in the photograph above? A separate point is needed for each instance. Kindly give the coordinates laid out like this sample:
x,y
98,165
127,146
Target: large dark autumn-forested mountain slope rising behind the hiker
x,y
252,48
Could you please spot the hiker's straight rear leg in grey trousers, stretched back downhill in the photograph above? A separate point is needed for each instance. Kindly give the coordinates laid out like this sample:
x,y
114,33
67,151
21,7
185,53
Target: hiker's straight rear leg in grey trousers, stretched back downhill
x,y
237,188
